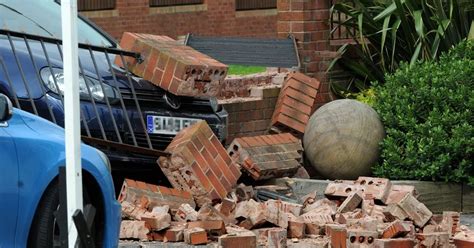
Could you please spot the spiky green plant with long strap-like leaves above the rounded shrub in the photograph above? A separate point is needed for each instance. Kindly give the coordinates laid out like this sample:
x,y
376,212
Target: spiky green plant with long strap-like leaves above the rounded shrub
x,y
387,32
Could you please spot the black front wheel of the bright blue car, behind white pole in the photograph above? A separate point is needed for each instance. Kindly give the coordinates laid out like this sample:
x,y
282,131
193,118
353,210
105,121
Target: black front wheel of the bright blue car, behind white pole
x,y
44,231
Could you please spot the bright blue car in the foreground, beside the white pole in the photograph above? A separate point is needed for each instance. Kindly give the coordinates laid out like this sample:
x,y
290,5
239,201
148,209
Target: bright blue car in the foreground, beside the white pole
x,y
31,152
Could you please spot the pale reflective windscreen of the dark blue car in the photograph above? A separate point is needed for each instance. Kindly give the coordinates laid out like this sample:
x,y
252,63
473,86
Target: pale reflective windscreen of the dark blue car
x,y
43,17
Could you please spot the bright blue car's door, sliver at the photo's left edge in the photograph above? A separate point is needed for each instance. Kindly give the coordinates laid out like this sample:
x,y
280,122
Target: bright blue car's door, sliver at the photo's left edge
x,y
8,187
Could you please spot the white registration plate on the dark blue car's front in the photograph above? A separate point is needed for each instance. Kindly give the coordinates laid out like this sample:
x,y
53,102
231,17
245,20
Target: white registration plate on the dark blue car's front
x,y
167,125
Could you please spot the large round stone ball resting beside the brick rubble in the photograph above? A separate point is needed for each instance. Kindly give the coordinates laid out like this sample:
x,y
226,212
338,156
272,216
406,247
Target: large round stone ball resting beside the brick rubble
x,y
341,140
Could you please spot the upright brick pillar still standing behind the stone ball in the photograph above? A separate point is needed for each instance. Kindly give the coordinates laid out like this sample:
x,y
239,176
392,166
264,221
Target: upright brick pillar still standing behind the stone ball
x,y
308,22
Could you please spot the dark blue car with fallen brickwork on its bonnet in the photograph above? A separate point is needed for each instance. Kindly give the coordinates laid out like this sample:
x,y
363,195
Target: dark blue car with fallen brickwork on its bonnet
x,y
129,118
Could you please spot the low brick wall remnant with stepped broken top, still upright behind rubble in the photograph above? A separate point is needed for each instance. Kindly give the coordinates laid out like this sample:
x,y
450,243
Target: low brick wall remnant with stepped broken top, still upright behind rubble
x,y
252,115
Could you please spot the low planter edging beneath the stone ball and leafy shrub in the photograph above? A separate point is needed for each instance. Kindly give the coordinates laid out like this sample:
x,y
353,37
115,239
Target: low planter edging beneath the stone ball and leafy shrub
x,y
456,197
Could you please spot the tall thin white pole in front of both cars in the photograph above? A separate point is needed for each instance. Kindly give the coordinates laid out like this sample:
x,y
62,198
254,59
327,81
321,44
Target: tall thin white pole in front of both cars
x,y
71,115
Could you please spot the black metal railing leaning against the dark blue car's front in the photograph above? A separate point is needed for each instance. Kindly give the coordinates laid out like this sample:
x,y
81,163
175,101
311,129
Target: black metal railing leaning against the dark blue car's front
x,y
30,74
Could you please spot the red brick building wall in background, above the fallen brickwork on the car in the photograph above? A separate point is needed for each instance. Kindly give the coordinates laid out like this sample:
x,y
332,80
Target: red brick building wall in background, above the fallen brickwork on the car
x,y
213,18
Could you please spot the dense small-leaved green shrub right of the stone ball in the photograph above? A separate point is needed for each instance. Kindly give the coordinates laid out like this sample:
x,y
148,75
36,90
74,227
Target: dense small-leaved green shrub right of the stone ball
x,y
427,111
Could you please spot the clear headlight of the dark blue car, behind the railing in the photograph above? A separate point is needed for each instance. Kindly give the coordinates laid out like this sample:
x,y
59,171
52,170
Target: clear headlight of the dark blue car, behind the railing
x,y
55,82
